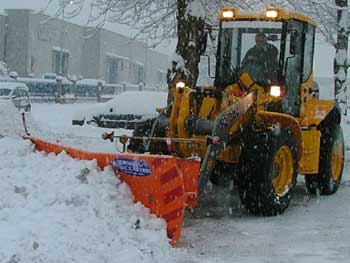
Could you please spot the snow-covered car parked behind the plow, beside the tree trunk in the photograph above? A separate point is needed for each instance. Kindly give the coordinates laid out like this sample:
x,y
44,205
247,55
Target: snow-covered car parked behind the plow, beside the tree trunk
x,y
124,111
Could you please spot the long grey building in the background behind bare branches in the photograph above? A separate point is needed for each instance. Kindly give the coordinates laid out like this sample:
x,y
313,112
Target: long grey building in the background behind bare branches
x,y
33,43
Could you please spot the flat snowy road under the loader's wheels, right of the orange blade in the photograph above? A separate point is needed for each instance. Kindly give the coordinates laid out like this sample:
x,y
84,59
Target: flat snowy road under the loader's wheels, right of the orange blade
x,y
315,229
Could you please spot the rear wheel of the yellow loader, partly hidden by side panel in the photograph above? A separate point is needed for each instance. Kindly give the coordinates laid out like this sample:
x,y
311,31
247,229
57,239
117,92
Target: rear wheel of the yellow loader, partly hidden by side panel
x,y
331,162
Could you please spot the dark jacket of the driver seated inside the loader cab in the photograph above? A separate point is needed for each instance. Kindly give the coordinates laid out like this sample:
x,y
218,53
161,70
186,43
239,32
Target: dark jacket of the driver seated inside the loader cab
x,y
261,63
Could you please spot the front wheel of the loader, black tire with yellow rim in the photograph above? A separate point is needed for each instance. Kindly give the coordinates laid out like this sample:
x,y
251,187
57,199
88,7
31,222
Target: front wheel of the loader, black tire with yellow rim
x,y
268,172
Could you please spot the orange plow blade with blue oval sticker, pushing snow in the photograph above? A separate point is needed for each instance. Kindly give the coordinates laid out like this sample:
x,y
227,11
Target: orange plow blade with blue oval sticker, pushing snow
x,y
164,184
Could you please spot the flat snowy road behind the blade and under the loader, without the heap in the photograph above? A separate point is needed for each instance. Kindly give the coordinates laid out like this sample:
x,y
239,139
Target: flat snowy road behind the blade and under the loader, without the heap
x,y
313,229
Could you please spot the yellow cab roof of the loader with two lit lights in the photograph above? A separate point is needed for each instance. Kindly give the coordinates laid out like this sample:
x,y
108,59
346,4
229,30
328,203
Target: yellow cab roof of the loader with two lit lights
x,y
278,14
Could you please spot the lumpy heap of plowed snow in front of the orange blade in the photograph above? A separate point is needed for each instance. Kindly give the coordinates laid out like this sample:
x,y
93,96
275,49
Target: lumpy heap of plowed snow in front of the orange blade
x,y
57,209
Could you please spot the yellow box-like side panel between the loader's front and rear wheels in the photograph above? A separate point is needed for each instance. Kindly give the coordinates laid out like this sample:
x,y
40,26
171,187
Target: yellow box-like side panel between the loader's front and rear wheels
x,y
311,151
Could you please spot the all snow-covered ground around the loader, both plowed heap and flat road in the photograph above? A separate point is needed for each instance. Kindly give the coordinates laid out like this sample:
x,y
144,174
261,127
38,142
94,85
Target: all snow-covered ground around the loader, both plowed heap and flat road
x,y
56,209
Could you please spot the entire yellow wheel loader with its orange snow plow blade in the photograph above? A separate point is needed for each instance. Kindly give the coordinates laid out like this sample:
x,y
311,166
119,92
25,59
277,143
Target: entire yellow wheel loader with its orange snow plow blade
x,y
259,125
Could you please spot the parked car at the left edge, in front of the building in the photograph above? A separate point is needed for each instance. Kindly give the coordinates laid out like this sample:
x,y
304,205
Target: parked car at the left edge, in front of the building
x,y
17,92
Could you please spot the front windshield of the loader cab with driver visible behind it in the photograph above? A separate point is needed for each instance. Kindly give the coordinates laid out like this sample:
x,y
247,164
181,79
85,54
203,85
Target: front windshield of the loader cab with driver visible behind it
x,y
249,46
